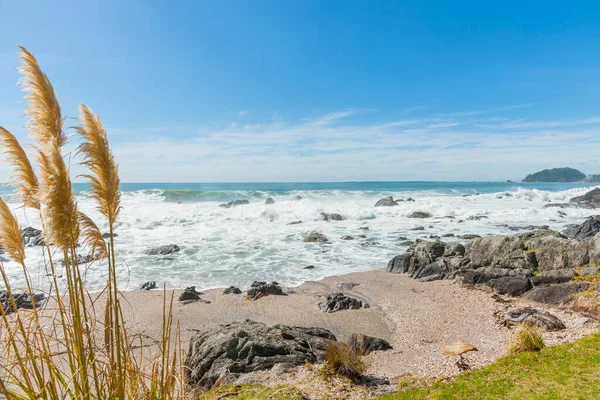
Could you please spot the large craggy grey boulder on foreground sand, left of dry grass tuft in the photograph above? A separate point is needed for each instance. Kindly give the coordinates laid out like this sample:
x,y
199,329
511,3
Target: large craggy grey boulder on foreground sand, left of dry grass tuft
x,y
223,353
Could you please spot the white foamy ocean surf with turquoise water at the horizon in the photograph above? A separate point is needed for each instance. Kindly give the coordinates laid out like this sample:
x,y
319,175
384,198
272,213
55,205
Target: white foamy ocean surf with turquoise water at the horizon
x,y
235,246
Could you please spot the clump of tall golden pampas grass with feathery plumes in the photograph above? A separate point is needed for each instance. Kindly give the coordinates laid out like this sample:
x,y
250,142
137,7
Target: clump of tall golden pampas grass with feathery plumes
x,y
65,348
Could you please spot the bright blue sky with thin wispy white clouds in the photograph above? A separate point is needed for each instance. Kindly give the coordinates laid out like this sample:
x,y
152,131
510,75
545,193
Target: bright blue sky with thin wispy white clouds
x,y
253,91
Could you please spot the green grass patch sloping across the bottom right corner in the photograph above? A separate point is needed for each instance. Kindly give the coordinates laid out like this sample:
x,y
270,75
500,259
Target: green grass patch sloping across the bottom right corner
x,y
568,371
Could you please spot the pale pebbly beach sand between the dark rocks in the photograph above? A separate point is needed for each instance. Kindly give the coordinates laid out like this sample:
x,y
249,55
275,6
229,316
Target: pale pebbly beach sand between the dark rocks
x,y
416,318
